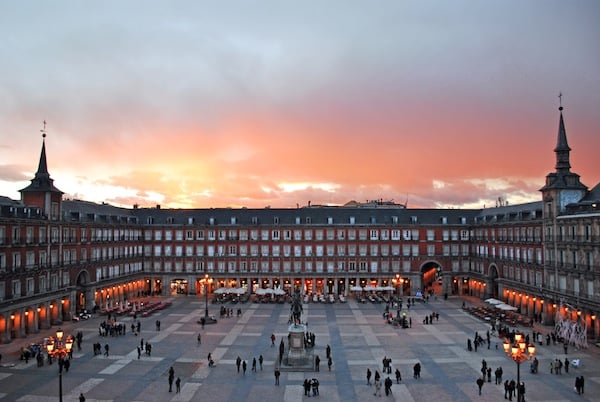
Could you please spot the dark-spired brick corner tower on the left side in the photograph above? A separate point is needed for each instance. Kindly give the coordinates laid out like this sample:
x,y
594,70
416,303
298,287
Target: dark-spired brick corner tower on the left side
x,y
41,192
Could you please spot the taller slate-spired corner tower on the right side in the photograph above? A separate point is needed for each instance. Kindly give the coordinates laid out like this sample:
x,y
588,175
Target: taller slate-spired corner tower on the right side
x,y
562,187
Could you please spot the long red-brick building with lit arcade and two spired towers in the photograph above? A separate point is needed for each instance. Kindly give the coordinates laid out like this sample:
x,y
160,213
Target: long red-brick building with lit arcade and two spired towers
x,y
60,256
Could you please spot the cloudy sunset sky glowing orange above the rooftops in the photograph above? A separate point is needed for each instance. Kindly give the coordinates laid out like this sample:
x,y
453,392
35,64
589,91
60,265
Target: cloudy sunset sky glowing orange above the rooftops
x,y
256,103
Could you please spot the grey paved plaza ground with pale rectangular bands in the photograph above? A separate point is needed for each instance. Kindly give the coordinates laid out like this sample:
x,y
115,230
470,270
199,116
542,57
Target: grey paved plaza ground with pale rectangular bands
x,y
358,336
